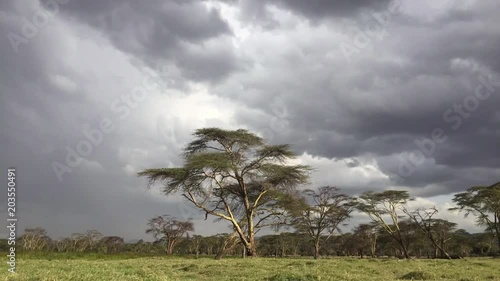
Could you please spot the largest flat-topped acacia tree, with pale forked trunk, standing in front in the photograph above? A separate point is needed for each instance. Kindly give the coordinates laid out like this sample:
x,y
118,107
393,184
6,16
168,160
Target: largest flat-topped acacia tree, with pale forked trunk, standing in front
x,y
233,175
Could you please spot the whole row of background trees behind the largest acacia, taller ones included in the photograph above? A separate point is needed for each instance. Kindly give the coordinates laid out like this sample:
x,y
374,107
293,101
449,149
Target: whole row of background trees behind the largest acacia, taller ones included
x,y
395,230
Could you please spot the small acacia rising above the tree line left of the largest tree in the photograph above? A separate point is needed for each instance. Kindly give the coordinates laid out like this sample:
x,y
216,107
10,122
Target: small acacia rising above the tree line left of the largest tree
x,y
168,229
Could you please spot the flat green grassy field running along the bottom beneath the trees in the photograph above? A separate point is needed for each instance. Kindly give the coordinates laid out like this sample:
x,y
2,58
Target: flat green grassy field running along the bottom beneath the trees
x,y
94,267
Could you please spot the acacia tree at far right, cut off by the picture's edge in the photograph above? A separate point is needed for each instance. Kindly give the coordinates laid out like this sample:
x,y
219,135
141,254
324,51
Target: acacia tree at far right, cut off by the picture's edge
x,y
484,203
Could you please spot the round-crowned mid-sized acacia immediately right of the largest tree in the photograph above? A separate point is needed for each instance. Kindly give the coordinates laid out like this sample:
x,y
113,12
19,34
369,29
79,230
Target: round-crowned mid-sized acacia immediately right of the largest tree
x,y
320,213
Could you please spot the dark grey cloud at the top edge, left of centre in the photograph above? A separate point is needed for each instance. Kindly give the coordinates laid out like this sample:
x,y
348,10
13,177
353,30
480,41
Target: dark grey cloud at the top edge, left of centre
x,y
164,31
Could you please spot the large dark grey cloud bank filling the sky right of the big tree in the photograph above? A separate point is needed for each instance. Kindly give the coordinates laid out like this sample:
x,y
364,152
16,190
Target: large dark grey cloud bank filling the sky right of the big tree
x,y
393,95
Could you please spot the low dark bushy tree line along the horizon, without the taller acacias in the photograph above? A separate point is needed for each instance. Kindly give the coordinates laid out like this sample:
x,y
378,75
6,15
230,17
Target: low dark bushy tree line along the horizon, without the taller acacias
x,y
366,240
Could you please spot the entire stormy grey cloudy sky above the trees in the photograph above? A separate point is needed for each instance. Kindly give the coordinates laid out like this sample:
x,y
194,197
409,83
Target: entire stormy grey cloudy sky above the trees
x,y
374,94
